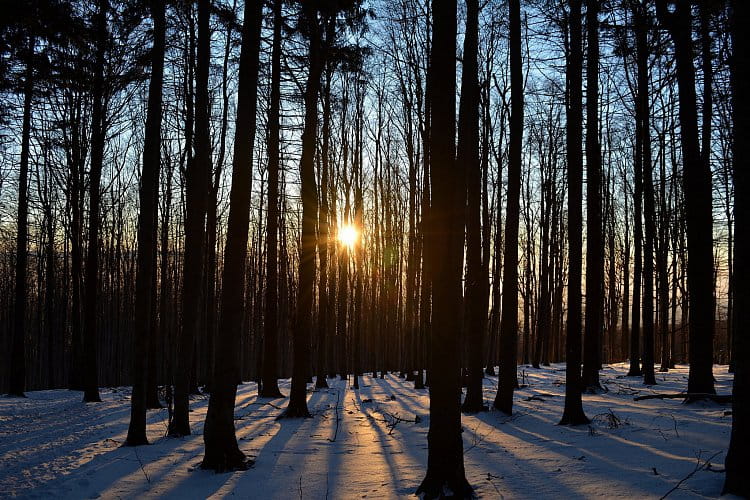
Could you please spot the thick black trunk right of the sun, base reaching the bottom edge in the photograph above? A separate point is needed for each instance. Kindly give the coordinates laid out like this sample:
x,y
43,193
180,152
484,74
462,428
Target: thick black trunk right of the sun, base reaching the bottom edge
x,y
445,464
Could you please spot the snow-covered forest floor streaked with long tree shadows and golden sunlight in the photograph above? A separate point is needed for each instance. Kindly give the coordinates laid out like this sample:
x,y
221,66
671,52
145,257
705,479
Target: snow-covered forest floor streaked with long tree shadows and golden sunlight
x,y
368,444
